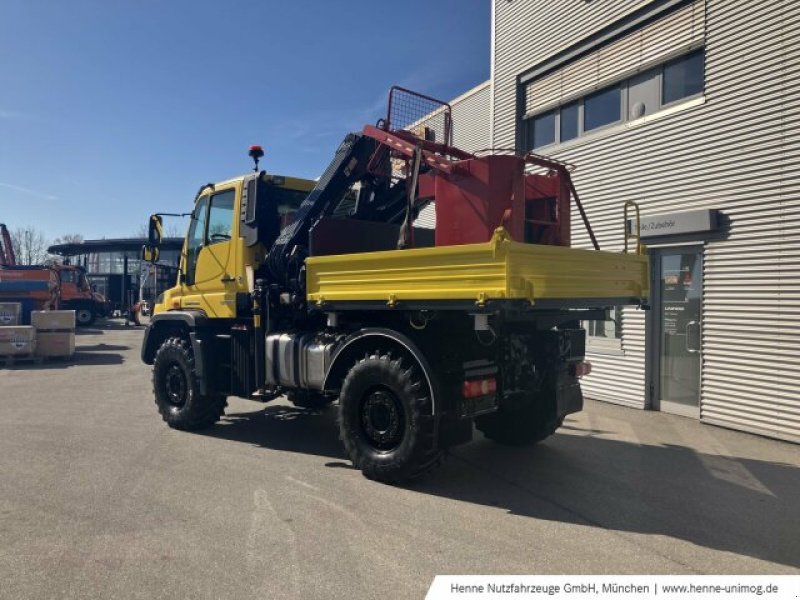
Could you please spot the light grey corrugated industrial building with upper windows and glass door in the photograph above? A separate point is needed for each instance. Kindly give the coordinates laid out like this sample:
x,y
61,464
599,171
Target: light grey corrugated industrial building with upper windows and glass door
x,y
690,108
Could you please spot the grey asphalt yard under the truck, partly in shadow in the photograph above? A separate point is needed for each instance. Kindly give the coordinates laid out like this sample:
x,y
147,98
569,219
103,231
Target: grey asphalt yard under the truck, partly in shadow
x,y
100,499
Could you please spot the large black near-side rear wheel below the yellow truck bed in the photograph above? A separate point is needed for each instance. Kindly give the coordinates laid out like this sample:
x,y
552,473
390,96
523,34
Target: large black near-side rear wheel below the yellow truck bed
x,y
394,385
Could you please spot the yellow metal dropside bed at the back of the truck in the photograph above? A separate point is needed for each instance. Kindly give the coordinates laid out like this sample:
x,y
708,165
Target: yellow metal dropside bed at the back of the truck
x,y
500,269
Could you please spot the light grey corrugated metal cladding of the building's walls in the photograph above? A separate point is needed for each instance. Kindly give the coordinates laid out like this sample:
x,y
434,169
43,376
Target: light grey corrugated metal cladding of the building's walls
x,y
737,151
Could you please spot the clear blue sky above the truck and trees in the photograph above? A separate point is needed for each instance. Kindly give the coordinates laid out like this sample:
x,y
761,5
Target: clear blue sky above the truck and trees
x,y
112,110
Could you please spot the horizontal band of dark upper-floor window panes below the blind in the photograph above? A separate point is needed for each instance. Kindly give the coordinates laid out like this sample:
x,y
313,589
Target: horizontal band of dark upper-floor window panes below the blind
x,y
633,98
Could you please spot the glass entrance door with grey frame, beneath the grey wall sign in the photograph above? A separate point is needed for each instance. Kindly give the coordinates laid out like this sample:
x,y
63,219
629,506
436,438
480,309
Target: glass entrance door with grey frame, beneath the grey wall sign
x,y
678,329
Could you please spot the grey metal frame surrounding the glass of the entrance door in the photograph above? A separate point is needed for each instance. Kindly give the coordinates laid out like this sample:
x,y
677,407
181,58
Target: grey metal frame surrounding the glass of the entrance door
x,y
654,329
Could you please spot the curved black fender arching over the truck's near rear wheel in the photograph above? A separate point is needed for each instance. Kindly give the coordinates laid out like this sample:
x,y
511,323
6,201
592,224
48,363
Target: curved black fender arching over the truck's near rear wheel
x,y
364,340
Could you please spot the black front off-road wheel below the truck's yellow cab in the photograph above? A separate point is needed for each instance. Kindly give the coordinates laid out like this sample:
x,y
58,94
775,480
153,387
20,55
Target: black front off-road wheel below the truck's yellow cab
x,y
176,389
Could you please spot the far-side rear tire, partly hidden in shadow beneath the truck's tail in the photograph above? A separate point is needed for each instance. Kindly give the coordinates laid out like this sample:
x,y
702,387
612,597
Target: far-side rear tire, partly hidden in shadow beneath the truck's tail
x,y
520,426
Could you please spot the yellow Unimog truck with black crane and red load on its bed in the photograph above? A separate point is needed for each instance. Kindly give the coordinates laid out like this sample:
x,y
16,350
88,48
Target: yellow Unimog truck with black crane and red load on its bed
x,y
324,291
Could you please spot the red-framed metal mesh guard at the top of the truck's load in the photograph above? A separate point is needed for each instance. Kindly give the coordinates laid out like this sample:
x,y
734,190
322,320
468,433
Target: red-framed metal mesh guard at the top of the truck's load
x,y
422,115
